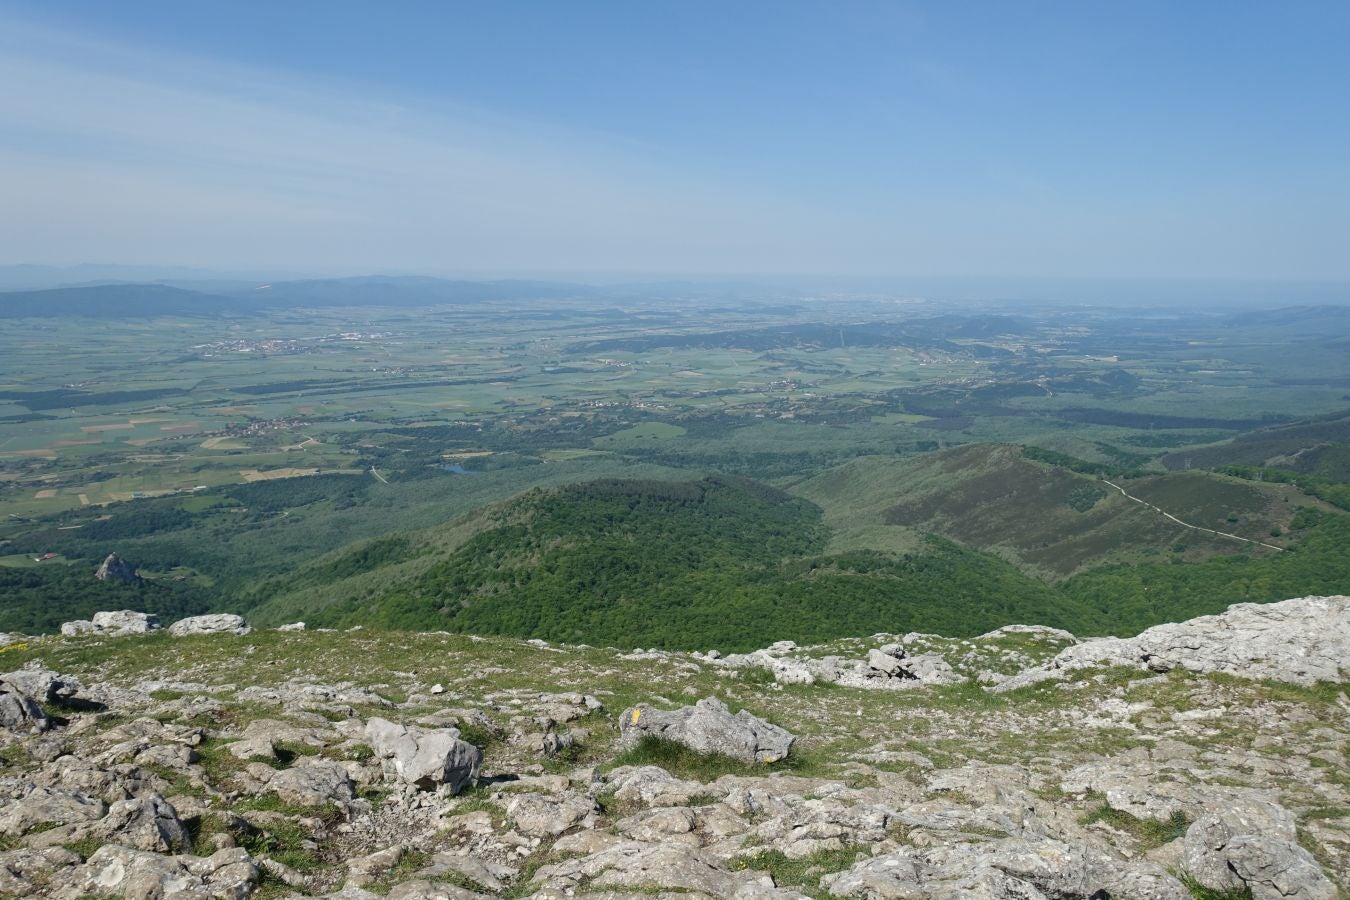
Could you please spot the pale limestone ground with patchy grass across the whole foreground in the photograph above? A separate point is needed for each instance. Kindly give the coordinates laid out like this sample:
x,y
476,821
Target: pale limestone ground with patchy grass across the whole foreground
x,y
1198,760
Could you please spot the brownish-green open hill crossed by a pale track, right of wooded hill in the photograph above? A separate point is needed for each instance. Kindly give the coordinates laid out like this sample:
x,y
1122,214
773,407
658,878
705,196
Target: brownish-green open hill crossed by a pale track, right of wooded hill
x,y
1048,520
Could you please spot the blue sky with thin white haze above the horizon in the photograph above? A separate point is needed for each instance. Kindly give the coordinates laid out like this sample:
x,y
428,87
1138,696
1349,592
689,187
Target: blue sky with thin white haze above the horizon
x,y
681,138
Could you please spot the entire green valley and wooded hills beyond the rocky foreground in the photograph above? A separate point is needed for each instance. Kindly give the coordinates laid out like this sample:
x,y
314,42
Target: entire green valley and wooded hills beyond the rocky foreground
x,y
443,468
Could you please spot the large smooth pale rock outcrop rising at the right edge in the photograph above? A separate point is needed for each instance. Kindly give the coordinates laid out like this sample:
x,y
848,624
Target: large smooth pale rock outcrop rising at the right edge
x,y
1301,642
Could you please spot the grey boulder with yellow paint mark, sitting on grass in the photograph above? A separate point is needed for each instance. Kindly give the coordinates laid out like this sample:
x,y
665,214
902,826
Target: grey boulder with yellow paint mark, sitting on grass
x,y
709,728
